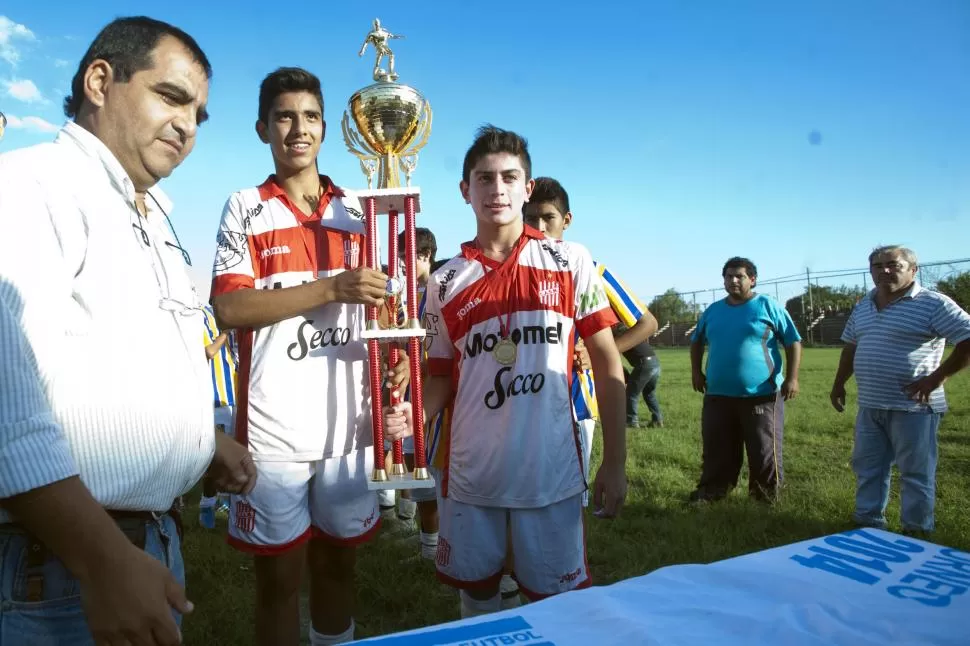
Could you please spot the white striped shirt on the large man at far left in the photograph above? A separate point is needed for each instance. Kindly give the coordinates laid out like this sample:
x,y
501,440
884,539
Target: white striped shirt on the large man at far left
x,y
88,283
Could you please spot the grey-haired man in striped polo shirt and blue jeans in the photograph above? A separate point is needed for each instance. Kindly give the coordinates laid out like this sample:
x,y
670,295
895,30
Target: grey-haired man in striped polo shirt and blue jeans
x,y
895,339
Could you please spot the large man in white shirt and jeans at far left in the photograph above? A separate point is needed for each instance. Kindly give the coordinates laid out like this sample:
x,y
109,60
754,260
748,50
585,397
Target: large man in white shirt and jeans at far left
x,y
91,456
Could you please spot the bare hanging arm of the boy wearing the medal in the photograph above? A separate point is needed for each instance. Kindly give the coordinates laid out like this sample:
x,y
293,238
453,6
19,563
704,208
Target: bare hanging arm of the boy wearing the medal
x,y
609,489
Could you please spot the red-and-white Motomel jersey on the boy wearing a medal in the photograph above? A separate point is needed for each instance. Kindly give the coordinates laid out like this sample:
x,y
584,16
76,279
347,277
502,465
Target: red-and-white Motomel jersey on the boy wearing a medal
x,y
513,441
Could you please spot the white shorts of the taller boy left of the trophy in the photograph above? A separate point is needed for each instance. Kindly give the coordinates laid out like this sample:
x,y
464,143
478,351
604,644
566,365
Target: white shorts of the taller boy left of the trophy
x,y
296,501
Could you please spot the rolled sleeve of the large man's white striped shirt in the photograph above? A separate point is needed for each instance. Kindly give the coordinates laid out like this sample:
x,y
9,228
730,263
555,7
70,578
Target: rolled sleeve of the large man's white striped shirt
x,y
33,449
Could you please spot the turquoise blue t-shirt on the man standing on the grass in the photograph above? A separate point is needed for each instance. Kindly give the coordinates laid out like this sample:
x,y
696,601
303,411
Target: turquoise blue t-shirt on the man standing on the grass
x,y
744,346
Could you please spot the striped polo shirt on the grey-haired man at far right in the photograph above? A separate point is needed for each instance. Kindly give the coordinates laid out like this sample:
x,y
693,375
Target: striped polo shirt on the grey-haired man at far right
x,y
902,343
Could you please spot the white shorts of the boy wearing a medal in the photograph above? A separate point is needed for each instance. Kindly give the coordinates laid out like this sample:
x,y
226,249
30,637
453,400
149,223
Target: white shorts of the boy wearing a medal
x,y
549,544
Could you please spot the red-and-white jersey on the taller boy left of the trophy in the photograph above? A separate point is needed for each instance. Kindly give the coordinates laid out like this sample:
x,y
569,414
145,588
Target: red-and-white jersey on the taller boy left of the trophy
x,y
303,392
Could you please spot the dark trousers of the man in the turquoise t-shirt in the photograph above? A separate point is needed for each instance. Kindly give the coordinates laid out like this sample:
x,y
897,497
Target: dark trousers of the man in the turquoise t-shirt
x,y
730,425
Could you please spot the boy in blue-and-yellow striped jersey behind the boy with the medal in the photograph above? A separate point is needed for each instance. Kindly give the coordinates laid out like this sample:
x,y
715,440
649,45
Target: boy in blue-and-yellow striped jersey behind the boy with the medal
x,y
548,211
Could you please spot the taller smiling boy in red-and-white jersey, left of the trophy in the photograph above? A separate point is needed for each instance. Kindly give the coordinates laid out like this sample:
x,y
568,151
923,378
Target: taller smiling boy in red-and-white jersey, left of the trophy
x,y
289,277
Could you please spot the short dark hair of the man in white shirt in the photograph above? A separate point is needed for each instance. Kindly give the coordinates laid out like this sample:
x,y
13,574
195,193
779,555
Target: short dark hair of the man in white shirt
x,y
127,44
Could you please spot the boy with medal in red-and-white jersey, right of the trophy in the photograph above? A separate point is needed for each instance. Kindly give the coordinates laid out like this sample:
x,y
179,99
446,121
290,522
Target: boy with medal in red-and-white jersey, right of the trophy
x,y
502,352
